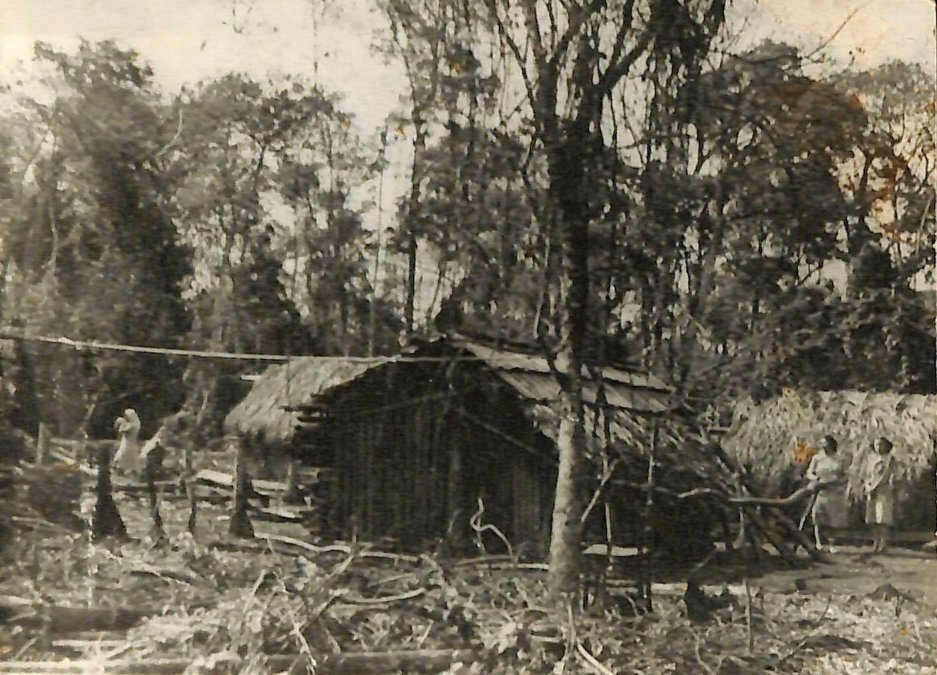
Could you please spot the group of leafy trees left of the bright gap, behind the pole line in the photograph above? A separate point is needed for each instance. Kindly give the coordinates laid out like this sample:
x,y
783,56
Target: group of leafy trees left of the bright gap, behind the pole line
x,y
223,220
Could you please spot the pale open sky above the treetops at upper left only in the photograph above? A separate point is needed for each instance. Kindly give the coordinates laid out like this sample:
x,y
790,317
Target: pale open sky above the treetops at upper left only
x,y
189,40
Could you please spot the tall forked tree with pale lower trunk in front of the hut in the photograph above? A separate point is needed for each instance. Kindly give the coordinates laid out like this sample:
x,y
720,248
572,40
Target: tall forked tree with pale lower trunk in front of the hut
x,y
573,58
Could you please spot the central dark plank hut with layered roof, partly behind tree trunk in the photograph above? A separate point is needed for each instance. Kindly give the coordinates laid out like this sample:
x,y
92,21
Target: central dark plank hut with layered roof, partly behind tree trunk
x,y
416,443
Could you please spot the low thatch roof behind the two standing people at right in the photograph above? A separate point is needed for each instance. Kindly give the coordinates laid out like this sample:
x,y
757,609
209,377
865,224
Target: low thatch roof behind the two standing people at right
x,y
763,435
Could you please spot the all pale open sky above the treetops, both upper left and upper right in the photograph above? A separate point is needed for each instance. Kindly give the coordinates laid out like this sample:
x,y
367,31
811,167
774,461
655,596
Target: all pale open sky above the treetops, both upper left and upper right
x,y
189,40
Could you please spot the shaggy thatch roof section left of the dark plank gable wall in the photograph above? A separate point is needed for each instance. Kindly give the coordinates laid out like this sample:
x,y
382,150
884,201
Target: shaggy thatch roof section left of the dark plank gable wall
x,y
268,412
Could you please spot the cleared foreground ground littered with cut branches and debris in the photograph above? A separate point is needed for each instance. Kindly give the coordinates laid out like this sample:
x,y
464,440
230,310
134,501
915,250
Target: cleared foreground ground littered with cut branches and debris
x,y
211,604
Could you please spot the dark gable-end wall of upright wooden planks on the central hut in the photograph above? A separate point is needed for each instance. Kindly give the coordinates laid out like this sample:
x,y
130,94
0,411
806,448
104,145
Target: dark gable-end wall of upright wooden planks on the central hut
x,y
394,454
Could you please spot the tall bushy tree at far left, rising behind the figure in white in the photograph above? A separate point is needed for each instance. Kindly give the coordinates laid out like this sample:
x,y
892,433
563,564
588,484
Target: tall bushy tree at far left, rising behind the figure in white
x,y
94,248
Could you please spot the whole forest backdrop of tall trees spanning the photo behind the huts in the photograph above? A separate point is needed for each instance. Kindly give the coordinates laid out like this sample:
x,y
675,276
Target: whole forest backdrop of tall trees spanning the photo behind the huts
x,y
745,217
